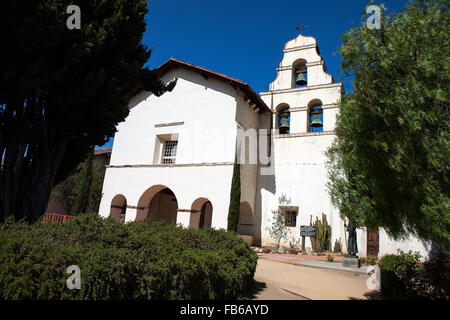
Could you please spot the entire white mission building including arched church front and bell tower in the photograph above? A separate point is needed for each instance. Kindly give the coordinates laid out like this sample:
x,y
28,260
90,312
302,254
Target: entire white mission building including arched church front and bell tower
x,y
170,161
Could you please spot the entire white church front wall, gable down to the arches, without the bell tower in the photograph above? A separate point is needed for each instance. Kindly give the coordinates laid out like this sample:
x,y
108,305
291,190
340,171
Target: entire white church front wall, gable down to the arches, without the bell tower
x,y
204,113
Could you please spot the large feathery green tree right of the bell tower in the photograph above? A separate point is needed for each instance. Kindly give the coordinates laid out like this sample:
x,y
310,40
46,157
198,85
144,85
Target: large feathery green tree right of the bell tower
x,y
389,166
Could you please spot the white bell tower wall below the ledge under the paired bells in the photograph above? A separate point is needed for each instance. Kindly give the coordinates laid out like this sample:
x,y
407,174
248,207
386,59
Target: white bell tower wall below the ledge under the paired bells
x,y
301,175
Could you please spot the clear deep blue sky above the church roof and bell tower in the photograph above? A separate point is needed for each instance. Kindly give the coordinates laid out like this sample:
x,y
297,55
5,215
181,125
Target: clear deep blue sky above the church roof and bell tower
x,y
244,39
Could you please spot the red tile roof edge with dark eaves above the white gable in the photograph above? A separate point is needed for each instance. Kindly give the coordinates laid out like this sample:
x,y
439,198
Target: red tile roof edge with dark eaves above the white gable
x,y
252,95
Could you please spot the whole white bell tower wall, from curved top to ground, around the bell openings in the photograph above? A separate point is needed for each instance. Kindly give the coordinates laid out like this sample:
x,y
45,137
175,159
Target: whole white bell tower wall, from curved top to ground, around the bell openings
x,y
299,161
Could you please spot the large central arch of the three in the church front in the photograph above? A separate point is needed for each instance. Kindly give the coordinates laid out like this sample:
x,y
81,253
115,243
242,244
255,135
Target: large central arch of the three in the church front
x,y
157,203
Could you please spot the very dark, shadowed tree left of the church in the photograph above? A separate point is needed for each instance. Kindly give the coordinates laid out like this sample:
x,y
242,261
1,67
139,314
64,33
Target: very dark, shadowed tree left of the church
x,y
63,91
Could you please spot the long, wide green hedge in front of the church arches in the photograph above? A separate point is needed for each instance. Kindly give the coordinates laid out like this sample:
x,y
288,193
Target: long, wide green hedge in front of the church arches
x,y
122,261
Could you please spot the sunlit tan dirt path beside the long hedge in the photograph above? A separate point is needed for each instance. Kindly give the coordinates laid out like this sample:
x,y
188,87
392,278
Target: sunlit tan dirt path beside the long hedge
x,y
283,281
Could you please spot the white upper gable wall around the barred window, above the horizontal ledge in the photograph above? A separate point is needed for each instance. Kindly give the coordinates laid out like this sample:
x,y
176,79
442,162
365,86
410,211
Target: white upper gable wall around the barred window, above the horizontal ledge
x,y
206,109
